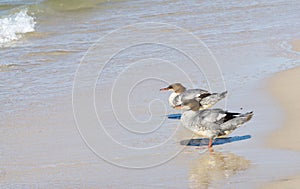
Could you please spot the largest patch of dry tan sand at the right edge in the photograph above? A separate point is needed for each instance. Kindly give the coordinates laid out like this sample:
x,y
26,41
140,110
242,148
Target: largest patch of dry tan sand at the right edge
x,y
285,87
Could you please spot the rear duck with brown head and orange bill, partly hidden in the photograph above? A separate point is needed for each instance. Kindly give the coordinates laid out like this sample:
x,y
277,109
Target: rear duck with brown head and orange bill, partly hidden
x,y
204,98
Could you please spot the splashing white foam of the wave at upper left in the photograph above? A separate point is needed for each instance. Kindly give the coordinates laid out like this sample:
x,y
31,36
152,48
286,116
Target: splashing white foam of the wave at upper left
x,y
14,25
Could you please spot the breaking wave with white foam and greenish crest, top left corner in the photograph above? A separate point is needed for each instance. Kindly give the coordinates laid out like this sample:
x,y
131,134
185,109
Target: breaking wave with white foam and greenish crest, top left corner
x,y
17,19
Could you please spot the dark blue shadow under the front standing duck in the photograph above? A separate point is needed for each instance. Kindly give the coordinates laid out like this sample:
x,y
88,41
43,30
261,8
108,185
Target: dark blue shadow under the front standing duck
x,y
217,141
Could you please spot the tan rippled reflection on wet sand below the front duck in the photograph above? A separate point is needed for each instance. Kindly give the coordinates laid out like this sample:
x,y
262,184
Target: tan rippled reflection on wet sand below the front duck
x,y
212,167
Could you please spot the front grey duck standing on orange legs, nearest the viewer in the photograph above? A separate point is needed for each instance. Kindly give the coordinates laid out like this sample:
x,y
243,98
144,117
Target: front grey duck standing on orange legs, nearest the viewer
x,y
211,123
